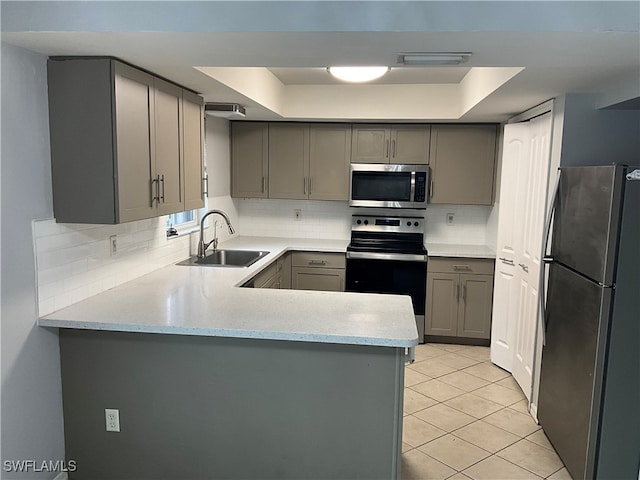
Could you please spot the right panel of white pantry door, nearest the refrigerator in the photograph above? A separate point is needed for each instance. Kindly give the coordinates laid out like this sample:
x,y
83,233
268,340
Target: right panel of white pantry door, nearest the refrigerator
x,y
532,206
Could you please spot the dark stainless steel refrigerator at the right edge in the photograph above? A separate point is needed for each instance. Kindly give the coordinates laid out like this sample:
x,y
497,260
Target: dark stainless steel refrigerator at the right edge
x,y
589,398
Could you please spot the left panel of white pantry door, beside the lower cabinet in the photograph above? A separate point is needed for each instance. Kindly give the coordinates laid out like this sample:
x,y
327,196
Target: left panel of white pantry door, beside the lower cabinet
x,y
515,158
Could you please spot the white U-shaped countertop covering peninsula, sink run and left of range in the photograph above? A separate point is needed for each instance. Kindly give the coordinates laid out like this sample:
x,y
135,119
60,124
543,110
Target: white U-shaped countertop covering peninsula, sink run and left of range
x,y
207,301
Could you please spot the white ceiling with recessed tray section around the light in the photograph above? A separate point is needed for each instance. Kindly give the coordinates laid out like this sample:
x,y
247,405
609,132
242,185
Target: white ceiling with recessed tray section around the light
x,y
546,49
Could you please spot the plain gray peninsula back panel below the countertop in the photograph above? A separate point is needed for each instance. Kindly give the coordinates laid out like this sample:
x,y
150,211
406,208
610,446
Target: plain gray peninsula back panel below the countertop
x,y
233,408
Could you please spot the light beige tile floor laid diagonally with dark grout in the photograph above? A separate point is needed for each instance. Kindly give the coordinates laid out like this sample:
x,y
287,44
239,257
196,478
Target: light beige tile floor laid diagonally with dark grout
x,y
466,418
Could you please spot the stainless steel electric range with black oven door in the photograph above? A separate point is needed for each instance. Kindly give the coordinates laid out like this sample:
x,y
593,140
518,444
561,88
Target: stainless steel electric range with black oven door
x,y
387,255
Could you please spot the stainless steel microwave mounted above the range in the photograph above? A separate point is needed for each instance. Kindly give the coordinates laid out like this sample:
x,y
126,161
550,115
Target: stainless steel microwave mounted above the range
x,y
389,185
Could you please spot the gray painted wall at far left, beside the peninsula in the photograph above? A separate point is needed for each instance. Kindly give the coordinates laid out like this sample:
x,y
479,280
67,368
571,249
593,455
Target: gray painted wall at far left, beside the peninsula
x,y
31,391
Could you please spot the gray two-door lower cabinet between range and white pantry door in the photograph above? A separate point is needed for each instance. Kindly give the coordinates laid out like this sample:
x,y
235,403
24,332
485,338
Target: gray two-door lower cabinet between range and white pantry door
x,y
459,297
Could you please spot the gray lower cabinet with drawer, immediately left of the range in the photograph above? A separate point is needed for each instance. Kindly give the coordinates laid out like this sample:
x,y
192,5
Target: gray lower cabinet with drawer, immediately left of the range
x,y
318,271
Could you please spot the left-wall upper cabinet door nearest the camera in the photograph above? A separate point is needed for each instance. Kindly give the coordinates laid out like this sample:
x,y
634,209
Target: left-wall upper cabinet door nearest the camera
x,y
134,94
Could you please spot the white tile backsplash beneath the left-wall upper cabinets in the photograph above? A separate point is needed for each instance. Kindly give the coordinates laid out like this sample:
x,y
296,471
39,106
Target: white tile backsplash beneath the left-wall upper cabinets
x,y
74,261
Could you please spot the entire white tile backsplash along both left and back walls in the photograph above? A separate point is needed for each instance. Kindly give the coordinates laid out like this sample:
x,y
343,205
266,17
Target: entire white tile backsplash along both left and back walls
x,y
75,262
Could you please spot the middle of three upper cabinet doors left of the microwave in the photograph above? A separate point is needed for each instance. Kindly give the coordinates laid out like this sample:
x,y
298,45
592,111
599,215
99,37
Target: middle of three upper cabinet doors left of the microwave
x,y
288,161
